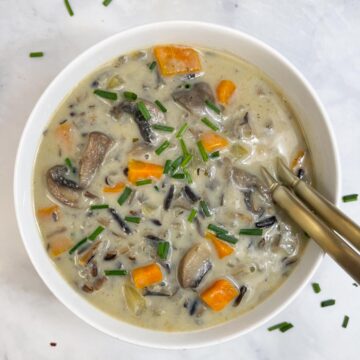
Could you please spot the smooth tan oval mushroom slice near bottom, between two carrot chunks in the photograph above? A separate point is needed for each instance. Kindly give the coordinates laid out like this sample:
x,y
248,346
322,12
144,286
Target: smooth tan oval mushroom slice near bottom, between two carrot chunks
x,y
194,265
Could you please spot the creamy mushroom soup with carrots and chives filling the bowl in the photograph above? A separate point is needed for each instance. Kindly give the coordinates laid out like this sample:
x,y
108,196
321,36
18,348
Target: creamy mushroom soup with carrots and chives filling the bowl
x,y
148,192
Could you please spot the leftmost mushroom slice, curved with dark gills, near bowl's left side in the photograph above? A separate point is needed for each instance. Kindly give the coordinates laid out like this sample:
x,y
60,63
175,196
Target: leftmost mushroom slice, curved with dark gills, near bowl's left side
x,y
64,190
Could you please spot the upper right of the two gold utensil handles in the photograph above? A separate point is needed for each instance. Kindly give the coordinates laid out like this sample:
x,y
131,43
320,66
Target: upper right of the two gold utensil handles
x,y
327,211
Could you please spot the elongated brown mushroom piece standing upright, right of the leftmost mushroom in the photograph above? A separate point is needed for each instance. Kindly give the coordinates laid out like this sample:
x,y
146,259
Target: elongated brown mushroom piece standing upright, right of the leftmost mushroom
x,y
97,147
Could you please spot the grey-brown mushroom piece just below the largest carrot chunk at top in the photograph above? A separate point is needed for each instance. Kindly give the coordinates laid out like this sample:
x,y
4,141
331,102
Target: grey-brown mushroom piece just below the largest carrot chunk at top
x,y
194,99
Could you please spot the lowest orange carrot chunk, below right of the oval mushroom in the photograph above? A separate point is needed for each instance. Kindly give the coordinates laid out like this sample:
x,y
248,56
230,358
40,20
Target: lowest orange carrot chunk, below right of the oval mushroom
x,y
219,294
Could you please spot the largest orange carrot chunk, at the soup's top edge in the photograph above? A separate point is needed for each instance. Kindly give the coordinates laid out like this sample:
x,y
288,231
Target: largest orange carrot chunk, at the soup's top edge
x,y
174,60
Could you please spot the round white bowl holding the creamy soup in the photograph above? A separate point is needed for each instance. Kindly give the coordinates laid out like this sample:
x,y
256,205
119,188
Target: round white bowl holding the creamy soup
x,y
302,98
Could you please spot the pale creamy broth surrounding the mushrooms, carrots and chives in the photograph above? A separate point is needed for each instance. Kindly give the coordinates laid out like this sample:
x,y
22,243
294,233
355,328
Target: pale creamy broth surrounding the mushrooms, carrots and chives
x,y
258,264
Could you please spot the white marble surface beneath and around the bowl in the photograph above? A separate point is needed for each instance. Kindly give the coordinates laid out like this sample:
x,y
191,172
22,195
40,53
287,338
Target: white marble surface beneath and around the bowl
x,y
320,37
